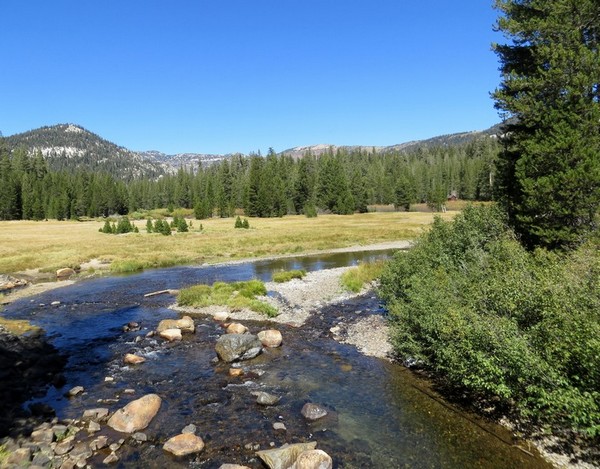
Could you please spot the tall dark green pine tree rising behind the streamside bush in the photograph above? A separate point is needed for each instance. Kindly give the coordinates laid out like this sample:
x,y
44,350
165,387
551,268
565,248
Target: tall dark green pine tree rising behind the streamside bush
x,y
549,171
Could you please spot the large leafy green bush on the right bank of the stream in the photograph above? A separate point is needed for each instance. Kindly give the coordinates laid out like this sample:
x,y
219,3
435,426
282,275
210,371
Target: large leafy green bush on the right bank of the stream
x,y
495,320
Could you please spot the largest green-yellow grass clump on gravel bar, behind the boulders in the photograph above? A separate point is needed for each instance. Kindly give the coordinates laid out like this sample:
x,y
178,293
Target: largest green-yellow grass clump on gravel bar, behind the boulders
x,y
236,296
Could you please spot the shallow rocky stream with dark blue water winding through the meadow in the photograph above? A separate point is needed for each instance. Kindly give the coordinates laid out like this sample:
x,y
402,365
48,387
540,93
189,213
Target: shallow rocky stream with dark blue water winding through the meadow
x,y
382,415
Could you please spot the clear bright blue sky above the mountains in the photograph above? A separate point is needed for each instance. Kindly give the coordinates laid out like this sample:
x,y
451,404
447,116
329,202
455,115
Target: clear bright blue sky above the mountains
x,y
242,75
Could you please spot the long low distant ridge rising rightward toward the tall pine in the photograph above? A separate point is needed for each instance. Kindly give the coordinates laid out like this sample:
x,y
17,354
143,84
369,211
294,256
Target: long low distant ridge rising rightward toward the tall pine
x,y
442,140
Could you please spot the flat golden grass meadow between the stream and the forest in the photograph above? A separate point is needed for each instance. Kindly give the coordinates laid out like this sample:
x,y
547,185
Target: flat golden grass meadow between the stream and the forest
x,y
50,245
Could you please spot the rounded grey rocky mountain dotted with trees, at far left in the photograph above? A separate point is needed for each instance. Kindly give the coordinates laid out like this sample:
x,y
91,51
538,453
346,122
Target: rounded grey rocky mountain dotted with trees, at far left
x,y
71,147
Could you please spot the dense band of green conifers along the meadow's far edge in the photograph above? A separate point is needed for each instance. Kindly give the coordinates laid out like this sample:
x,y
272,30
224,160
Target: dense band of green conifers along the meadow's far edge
x,y
340,182
